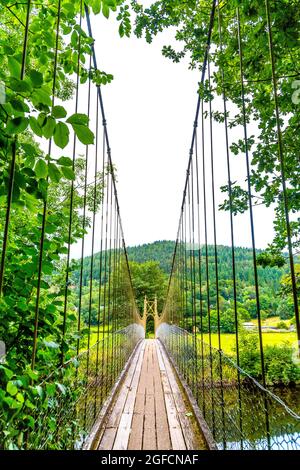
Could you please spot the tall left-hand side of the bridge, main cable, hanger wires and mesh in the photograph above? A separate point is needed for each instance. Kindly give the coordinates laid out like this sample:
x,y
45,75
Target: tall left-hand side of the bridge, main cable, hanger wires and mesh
x,y
68,312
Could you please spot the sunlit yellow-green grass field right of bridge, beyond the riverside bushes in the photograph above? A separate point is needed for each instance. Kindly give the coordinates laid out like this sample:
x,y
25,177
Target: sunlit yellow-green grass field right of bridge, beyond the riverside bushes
x,y
269,339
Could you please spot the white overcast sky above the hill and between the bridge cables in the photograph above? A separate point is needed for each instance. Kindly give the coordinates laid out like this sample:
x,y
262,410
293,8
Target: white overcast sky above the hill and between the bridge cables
x,y
150,108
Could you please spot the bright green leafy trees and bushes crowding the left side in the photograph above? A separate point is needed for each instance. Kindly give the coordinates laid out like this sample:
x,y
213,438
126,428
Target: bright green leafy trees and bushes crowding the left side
x,y
37,82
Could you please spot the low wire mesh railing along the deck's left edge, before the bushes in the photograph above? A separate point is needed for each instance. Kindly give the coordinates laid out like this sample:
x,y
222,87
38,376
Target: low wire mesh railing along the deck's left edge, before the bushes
x,y
69,401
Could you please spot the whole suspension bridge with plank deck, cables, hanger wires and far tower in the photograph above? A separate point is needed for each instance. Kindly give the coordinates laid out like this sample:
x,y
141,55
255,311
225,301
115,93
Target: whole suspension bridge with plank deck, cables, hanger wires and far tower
x,y
118,390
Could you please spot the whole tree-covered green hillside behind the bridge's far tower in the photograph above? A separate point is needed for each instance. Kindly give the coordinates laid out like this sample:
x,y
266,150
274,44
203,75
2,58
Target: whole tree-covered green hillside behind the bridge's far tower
x,y
154,257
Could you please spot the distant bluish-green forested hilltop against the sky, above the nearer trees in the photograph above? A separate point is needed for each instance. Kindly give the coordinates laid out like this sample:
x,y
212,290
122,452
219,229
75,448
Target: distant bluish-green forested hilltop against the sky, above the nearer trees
x,y
162,252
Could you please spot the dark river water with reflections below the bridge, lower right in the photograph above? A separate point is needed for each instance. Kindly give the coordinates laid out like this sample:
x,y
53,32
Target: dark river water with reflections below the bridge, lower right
x,y
250,420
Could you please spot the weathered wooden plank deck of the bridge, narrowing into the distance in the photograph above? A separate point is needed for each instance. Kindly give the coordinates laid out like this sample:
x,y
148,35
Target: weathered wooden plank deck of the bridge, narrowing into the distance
x,y
149,411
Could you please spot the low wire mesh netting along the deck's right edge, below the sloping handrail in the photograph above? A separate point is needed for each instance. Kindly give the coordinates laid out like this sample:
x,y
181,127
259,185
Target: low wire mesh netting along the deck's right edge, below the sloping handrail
x,y
240,413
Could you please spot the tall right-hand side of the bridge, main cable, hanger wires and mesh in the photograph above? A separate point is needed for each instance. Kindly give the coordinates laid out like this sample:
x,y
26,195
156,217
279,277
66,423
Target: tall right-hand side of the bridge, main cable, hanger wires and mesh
x,y
206,292
